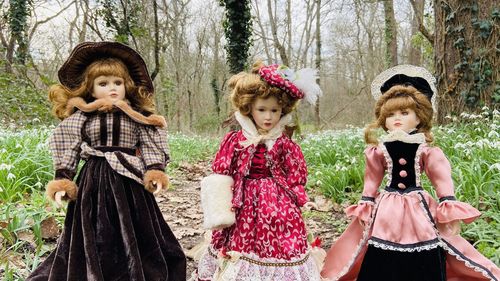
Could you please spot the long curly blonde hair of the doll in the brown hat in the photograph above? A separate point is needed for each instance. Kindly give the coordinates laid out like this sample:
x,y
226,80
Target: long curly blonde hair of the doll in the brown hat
x,y
140,98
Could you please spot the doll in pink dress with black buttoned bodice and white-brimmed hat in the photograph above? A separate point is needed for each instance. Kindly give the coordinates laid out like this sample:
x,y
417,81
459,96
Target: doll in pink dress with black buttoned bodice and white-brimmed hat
x,y
401,232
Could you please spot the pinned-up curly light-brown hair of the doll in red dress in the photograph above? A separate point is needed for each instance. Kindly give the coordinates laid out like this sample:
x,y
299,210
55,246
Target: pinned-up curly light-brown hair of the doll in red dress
x,y
246,87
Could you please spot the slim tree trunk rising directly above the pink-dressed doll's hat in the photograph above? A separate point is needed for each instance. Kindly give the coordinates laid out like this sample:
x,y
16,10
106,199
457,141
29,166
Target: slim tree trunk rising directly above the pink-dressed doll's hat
x,y
391,35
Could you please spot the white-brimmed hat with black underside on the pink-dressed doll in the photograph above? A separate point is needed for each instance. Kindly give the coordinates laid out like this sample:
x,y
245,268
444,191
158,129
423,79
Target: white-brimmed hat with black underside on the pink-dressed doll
x,y
406,75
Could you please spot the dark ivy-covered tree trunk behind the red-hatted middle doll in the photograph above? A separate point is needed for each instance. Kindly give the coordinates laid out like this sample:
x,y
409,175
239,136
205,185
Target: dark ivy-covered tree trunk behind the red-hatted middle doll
x,y
238,31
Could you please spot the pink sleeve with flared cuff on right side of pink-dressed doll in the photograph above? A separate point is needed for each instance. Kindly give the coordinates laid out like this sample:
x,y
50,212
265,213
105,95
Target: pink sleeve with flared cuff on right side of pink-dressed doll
x,y
438,170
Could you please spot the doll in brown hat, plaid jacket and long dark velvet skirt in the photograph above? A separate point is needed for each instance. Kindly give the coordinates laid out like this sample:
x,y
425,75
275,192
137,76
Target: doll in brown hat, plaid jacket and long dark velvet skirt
x,y
113,229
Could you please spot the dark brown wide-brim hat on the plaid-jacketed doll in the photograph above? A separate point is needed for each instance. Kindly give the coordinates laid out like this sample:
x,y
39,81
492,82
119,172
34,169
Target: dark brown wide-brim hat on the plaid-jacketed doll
x,y
71,72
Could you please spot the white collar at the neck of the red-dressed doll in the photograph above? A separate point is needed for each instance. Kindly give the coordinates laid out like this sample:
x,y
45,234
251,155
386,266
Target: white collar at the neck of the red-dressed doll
x,y
253,137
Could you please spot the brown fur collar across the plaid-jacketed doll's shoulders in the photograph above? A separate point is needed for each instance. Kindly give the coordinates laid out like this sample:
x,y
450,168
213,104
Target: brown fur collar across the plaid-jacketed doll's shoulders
x,y
105,105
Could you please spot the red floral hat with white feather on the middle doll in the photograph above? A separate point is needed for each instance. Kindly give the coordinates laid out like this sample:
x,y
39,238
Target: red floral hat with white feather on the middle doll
x,y
299,84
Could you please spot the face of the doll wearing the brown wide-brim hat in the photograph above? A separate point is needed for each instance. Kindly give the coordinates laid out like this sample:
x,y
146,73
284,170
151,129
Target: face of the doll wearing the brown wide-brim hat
x,y
109,87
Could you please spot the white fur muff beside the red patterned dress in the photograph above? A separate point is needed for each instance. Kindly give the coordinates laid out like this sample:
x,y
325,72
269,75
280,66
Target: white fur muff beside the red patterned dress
x,y
216,197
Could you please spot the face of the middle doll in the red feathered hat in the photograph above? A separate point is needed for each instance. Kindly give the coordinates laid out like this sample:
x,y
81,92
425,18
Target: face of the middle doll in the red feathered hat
x,y
266,113
